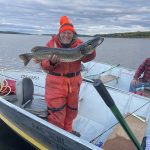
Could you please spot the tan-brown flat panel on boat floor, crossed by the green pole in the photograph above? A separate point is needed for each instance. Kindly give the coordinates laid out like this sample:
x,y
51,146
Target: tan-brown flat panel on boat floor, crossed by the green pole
x,y
118,139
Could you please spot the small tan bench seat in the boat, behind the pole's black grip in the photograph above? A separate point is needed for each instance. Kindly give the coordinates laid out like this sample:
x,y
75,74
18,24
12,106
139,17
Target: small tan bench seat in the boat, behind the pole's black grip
x,y
108,78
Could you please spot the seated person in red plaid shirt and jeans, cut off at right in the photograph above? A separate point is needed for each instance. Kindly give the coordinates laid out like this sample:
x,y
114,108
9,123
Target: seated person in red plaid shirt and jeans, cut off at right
x,y
141,77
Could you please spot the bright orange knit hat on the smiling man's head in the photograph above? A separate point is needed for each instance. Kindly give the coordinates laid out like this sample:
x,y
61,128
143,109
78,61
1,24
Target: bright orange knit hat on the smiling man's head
x,y
65,24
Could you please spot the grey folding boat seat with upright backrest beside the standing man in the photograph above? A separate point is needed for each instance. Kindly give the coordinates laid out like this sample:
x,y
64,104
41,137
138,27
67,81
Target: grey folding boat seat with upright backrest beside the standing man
x,y
24,92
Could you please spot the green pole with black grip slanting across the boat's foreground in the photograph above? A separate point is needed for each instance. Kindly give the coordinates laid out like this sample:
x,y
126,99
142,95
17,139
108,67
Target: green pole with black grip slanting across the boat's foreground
x,y
99,86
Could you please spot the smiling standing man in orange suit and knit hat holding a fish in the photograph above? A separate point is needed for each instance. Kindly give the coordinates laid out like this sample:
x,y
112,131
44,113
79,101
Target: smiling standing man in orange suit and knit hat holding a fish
x,y
63,79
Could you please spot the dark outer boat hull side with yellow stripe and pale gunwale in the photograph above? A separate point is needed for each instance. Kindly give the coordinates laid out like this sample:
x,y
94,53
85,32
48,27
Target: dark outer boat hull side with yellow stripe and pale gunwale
x,y
38,132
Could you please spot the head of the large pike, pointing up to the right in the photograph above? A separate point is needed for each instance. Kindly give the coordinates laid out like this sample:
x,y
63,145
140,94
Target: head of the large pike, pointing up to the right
x,y
89,46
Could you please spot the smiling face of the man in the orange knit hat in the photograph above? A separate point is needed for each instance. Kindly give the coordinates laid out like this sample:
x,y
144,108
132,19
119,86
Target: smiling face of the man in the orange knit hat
x,y
66,36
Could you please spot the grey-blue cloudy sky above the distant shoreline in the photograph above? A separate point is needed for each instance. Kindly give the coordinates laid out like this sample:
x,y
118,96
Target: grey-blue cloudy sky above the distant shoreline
x,y
88,16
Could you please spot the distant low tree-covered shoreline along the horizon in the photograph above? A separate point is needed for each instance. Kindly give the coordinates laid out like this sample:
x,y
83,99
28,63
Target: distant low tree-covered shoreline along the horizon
x,y
139,34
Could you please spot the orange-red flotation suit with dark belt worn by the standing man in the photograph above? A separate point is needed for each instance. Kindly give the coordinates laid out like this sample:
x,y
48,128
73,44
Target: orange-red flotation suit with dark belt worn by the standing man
x,y
62,88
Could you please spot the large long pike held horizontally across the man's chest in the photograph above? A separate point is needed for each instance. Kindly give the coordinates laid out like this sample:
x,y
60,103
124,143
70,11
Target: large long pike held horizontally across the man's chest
x,y
65,54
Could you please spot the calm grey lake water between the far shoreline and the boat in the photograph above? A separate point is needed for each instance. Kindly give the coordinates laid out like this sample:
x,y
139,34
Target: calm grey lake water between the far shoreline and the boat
x,y
128,52
